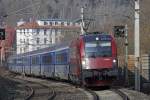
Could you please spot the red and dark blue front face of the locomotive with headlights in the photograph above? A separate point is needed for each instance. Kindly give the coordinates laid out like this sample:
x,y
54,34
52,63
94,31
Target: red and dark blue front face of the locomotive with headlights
x,y
99,60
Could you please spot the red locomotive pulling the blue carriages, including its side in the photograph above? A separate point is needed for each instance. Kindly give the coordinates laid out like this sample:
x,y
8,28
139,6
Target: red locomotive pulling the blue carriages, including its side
x,y
93,60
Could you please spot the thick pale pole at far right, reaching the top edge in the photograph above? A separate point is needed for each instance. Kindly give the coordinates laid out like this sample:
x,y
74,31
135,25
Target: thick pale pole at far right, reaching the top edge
x,y
137,44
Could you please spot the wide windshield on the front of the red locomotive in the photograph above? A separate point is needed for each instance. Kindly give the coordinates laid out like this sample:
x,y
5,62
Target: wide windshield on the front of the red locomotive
x,y
98,49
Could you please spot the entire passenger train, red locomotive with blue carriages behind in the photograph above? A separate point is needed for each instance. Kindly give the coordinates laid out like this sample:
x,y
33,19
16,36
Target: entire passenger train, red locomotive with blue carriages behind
x,y
89,60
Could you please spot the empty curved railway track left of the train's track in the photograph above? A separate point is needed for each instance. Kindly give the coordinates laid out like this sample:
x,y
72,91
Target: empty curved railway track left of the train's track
x,y
33,90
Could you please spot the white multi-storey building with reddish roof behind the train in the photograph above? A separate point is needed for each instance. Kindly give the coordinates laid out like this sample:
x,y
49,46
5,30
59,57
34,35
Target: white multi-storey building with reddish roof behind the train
x,y
42,33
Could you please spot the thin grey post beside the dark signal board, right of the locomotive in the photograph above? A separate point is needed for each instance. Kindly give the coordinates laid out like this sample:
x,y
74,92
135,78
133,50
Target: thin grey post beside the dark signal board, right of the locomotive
x,y
126,54
